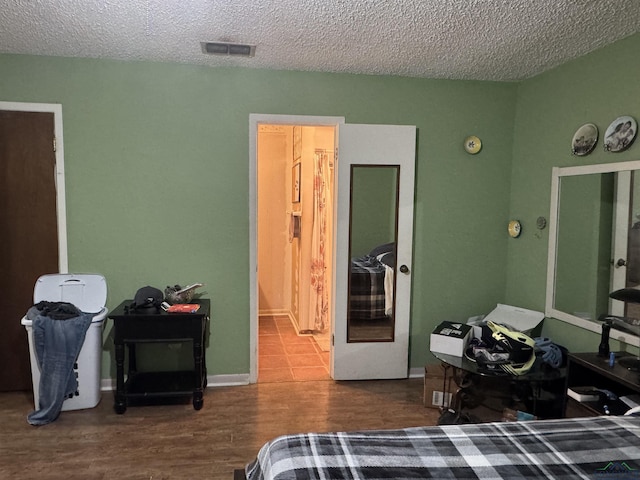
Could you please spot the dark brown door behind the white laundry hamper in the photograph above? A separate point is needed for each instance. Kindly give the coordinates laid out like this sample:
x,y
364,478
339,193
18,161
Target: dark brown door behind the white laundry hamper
x,y
28,231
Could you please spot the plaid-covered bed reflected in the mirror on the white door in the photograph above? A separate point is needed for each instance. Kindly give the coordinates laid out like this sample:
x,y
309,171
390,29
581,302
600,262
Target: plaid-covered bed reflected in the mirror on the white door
x,y
366,294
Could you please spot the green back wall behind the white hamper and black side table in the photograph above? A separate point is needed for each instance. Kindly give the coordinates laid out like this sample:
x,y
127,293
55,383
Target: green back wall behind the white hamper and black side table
x,y
157,178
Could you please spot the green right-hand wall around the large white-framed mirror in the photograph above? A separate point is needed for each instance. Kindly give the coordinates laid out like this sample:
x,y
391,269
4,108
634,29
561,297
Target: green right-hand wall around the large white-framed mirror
x,y
596,88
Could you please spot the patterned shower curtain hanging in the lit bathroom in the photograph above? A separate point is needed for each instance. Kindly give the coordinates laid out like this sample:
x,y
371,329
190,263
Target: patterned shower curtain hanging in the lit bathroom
x,y
319,294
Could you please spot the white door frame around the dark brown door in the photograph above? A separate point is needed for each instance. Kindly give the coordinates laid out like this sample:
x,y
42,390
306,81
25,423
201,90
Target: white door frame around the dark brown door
x,y
61,208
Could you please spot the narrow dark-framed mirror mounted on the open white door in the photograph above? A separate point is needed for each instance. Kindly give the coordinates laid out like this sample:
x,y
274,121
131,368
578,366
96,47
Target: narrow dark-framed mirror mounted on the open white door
x,y
372,241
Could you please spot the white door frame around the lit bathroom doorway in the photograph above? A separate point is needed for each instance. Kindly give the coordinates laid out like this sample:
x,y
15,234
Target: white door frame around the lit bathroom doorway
x,y
254,120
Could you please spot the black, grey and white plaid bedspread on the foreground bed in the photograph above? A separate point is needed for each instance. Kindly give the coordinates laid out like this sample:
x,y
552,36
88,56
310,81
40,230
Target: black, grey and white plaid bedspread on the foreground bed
x,y
600,448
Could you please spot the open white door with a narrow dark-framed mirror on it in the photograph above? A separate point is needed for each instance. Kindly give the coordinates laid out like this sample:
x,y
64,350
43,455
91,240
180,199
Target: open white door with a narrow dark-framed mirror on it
x,y
376,165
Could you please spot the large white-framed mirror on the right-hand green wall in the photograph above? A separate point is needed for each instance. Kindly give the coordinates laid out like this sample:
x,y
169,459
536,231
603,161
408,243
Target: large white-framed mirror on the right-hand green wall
x,y
594,246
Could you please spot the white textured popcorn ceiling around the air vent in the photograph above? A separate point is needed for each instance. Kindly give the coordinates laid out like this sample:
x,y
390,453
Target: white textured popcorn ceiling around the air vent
x,y
453,39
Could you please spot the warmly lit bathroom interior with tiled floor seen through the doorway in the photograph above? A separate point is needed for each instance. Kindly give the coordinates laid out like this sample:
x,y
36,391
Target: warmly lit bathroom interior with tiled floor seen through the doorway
x,y
295,225
